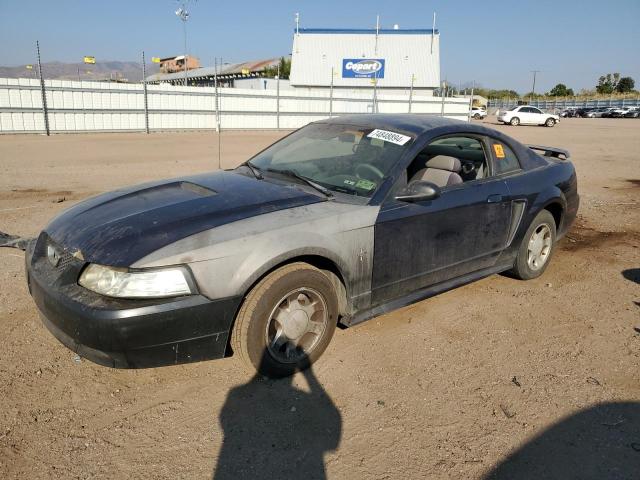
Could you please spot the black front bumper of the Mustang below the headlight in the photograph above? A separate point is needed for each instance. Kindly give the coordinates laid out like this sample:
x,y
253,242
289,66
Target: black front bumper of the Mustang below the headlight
x,y
124,333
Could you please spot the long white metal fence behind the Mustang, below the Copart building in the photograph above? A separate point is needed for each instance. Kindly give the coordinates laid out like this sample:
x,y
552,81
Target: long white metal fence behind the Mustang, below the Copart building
x,y
73,106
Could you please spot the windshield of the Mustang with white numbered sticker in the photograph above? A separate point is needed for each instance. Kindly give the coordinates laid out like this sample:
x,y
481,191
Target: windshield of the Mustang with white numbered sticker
x,y
343,158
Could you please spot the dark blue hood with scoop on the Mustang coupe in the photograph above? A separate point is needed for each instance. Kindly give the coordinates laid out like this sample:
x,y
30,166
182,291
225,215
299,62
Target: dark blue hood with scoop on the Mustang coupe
x,y
120,227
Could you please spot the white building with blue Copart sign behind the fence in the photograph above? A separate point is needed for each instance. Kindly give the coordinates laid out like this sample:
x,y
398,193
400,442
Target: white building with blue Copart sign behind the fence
x,y
358,58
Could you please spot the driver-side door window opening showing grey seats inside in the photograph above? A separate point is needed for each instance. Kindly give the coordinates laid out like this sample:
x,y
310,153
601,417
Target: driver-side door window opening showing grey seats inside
x,y
450,161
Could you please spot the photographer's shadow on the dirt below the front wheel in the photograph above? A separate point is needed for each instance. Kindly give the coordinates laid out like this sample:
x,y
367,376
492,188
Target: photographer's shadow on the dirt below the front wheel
x,y
272,429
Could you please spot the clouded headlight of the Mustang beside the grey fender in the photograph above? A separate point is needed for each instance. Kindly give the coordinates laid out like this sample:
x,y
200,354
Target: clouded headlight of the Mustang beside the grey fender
x,y
123,283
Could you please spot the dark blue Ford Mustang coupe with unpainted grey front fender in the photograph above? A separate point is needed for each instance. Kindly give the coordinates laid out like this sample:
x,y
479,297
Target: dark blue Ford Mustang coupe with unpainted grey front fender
x,y
338,222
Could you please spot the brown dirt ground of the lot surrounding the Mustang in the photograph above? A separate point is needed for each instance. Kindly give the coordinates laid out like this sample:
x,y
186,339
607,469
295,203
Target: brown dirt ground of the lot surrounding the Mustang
x,y
497,379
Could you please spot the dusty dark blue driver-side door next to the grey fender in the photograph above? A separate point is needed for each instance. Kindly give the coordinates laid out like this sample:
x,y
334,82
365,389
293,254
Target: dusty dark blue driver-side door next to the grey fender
x,y
420,244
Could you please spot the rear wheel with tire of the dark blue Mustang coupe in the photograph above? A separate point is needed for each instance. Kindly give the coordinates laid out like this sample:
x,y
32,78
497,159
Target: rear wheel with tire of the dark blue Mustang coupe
x,y
524,268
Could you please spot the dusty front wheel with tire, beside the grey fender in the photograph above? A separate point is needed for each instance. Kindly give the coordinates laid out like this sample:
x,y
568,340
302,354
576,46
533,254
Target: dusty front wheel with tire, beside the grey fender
x,y
297,293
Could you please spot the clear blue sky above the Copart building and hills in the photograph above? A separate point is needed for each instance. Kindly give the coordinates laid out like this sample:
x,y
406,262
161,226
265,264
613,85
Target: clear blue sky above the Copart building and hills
x,y
496,43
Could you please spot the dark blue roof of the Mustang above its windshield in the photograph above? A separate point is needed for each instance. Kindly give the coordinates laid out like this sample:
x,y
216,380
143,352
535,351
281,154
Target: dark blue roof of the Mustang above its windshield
x,y
412,123
